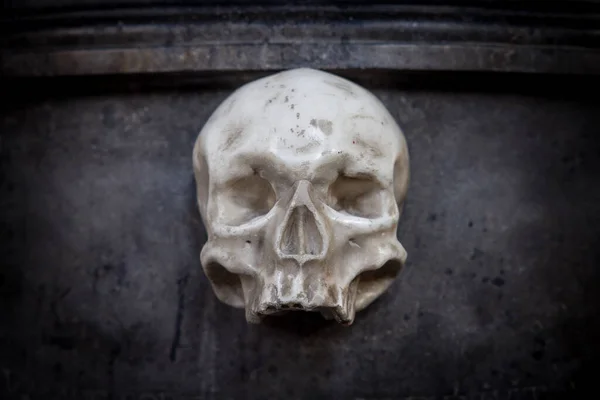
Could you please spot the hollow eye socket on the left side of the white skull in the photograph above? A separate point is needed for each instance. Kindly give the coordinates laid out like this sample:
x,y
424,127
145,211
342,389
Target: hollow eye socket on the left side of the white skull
x,y
244,199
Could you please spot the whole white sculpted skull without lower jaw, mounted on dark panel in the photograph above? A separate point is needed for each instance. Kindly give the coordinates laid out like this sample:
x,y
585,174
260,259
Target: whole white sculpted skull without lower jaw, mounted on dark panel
x,y
300,180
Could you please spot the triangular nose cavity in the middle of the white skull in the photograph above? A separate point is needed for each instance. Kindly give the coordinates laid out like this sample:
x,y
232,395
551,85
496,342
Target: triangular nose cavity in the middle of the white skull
x,y
301,234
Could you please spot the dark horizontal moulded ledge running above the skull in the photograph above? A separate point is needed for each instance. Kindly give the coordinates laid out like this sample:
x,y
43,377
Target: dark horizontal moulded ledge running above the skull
x,y
113,37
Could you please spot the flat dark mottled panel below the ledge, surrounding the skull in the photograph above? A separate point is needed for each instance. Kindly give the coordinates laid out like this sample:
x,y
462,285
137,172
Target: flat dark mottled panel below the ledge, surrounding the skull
x,y
102,294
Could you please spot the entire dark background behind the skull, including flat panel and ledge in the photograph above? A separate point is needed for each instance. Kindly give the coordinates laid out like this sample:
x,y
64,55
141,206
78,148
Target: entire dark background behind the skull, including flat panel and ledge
x,y
101,291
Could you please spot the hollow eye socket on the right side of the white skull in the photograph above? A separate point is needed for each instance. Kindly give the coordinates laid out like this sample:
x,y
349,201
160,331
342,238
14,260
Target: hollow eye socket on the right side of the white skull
x,y
356,196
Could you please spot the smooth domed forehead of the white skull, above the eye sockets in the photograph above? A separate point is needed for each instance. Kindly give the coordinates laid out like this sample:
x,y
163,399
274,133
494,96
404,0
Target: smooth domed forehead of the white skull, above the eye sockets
x,y
301,116
